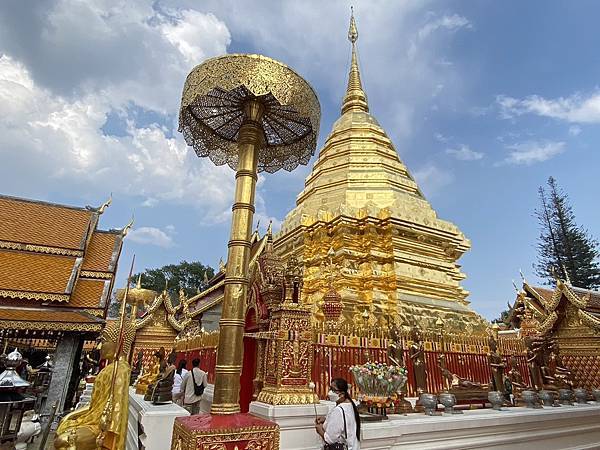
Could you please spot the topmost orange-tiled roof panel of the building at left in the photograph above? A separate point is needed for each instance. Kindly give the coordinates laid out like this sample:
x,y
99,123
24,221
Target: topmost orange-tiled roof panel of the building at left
x,y
43,224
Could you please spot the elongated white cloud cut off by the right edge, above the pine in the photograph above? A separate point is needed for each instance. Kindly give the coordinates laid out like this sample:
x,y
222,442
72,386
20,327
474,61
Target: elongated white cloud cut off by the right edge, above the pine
x,y
577,108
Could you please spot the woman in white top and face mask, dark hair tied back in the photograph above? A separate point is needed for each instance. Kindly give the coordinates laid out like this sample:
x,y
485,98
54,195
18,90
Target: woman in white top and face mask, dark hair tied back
x,y
342,424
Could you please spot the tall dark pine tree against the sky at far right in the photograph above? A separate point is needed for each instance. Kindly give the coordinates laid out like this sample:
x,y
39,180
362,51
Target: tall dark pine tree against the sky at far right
x,y
564,248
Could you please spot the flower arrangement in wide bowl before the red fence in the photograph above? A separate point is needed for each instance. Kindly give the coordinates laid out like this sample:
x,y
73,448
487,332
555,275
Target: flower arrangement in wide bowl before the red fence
x,y
379,383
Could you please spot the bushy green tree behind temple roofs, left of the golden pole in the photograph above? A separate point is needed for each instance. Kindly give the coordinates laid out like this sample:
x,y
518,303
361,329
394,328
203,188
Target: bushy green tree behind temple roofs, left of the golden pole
x,y
192,277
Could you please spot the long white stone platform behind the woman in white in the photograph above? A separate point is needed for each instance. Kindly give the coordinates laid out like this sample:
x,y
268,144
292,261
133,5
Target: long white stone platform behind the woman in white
x,y
568,427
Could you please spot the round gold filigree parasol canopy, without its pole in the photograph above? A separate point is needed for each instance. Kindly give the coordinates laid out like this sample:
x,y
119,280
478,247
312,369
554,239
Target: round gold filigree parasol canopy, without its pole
x,y
212,113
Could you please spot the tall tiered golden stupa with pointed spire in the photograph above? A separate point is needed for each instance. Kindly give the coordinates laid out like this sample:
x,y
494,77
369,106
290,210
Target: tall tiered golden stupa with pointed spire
x,y
395,259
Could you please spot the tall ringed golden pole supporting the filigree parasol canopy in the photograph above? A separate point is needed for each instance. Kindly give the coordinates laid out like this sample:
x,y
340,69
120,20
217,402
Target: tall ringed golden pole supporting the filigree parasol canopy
x,y
230,350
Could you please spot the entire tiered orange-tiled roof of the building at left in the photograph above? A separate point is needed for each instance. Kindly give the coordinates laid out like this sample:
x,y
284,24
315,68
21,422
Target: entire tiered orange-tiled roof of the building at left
x,y
57,268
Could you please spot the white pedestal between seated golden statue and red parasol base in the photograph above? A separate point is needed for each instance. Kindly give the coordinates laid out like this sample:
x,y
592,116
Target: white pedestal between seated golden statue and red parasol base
x,y
150,426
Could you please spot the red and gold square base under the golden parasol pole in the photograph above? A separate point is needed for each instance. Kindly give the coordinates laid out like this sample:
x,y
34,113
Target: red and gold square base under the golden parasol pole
x,y
227,432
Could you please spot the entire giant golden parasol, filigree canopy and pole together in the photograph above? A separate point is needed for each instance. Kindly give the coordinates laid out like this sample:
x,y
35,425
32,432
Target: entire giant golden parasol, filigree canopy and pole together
x,y
255,114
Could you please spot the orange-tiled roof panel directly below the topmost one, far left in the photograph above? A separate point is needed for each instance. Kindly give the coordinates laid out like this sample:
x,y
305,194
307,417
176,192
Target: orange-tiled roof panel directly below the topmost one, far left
x,y
35,272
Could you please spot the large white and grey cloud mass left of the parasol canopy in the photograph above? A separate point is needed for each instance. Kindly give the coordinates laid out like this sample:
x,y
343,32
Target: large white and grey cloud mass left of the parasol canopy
x,y
51,136
